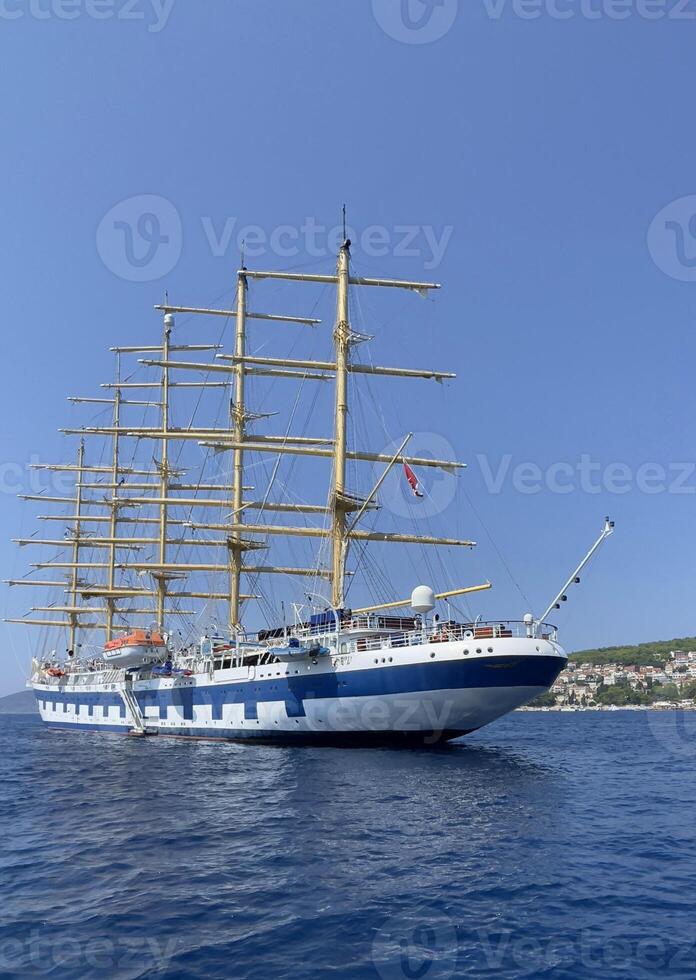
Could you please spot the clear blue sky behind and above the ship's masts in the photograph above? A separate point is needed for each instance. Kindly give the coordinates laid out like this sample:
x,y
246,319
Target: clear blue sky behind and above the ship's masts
x,y
541,148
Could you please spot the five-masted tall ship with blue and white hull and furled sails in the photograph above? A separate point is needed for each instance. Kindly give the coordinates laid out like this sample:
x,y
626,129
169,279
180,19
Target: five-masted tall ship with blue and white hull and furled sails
x,y
176,603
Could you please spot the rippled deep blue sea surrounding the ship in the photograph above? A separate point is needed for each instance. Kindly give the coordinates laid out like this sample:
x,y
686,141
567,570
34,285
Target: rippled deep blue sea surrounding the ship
x,y
546,845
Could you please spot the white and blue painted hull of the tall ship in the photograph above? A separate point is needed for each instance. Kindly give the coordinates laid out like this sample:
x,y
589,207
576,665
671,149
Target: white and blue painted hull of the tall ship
x,y
421,693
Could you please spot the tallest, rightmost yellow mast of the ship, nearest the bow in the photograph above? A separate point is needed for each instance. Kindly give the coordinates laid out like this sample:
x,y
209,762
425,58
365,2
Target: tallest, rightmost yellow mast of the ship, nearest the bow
x,y
339,540
